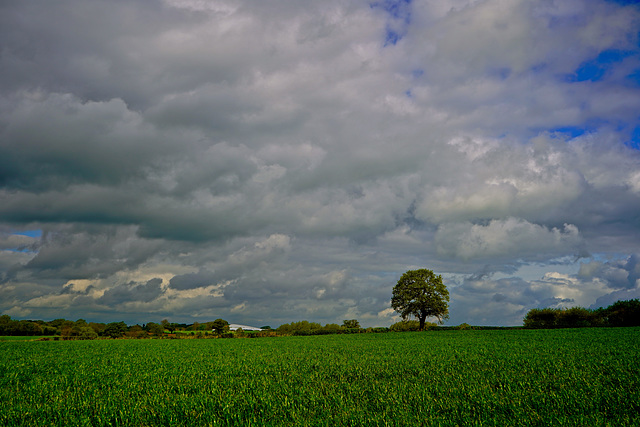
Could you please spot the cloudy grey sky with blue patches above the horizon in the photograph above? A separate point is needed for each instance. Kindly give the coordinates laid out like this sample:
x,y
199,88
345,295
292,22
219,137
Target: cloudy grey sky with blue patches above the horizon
x,y
276,161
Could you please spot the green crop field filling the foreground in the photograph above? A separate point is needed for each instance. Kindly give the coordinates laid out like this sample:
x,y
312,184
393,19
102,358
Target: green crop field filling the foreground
x,y
570,377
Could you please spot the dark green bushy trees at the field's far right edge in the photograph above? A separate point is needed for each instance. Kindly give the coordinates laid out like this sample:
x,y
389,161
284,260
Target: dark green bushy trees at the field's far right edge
x,y
621,313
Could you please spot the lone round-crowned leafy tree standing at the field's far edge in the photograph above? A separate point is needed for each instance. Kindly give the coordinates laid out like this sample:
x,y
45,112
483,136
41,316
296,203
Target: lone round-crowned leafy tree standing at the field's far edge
x,y
422,294
